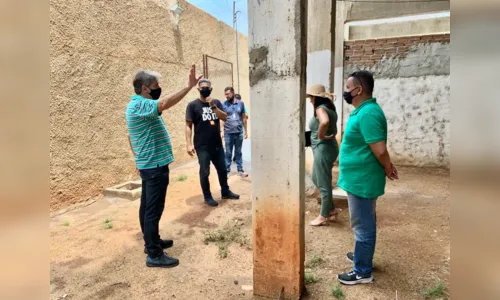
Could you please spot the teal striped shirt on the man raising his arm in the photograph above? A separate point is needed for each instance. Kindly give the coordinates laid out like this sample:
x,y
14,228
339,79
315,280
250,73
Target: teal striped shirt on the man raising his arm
x,y
148,134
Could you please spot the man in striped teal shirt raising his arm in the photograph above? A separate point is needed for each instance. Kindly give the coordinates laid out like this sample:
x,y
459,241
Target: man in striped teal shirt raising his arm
x,y
152,148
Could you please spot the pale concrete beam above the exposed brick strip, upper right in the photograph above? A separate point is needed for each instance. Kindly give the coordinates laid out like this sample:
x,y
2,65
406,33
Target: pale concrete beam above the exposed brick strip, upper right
x,y
417,27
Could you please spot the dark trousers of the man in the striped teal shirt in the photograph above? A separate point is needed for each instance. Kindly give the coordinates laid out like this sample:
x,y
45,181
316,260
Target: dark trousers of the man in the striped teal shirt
x,y
154,190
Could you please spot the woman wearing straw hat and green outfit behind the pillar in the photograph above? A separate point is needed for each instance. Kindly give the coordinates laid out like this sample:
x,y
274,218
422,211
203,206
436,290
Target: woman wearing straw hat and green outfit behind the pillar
x,y
323,126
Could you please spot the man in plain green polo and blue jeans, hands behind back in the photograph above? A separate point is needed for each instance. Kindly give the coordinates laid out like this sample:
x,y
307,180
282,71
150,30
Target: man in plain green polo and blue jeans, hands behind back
x,y
364,165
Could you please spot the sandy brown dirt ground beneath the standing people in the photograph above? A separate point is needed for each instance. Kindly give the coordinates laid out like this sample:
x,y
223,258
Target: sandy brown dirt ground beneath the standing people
x,y
91,259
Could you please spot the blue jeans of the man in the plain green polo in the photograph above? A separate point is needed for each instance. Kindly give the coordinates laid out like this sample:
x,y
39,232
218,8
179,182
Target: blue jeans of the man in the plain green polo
x,y
364,225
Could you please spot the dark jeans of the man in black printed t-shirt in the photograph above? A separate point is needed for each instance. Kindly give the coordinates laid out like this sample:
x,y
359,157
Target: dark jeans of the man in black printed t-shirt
x,y
216,156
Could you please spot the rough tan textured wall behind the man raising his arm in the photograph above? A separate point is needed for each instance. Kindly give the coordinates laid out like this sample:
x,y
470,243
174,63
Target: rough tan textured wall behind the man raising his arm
x,y
96,47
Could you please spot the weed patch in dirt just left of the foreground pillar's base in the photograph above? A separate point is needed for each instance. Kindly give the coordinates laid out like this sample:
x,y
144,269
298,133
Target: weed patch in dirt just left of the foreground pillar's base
x,y
224,237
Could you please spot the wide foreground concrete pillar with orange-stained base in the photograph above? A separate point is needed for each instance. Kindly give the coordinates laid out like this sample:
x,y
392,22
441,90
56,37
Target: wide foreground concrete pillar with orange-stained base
x,y
277,51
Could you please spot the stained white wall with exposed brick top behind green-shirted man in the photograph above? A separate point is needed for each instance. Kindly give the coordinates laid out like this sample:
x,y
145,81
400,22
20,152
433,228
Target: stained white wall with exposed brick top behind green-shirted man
x,y
412,84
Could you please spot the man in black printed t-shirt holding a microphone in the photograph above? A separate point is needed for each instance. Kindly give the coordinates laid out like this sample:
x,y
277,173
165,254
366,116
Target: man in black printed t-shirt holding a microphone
x,y
204,113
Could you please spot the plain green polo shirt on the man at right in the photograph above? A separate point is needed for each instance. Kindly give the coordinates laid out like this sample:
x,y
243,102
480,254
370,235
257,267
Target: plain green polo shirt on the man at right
x,y
360,172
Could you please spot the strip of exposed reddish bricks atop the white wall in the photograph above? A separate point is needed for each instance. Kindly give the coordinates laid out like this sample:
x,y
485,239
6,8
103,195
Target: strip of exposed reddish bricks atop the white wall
x,y
369,52
